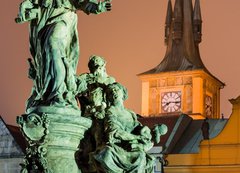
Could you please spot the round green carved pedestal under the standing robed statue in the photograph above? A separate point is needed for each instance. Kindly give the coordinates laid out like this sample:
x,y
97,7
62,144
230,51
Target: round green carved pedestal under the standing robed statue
x,y
53,135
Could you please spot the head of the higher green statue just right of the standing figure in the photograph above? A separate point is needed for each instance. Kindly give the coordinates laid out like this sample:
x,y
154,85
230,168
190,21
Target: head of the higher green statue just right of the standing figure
x,y
96,63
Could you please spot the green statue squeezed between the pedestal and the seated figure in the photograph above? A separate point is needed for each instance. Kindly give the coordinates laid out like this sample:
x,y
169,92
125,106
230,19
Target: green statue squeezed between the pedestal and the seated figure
x,y
91,94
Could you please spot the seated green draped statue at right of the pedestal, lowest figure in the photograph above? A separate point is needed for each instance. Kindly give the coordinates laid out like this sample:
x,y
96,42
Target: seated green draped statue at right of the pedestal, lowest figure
x,y
127,140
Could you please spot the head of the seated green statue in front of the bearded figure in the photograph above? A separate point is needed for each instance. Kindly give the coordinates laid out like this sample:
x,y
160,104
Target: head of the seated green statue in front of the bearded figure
x,y
116,92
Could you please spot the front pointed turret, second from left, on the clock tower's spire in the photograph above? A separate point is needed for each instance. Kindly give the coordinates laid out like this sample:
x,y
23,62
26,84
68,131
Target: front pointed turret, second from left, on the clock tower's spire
x,y
178,20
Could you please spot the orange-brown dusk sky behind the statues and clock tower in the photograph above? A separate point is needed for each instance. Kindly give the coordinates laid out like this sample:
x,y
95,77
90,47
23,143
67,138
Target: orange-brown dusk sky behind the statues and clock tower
x,y
131,39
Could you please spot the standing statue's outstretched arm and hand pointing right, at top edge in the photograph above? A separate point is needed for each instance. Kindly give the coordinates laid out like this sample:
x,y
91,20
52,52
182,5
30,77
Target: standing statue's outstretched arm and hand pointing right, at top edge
x,y
93,6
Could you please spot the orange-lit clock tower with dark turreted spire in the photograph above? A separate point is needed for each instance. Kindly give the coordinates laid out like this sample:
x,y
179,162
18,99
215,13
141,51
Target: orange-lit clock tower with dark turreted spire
x,y
181,83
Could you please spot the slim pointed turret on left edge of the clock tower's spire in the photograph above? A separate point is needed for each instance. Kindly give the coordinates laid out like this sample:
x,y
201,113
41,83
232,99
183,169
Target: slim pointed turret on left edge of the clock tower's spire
x,y
168,21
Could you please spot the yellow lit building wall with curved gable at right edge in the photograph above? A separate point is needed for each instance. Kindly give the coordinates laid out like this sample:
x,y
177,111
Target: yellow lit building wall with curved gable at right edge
x,y
220,154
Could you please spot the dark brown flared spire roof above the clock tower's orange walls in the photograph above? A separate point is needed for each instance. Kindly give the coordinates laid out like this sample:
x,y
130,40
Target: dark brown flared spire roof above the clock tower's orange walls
x,y
182,34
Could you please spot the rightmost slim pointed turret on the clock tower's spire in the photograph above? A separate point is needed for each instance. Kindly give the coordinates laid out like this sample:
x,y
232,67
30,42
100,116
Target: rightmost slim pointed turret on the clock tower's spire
x,y
197,22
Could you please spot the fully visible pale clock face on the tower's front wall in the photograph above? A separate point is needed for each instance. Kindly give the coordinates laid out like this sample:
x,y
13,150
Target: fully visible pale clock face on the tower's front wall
x,y
171,101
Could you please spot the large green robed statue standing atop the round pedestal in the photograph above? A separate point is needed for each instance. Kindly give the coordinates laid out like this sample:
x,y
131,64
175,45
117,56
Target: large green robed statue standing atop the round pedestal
x,y
54,47
